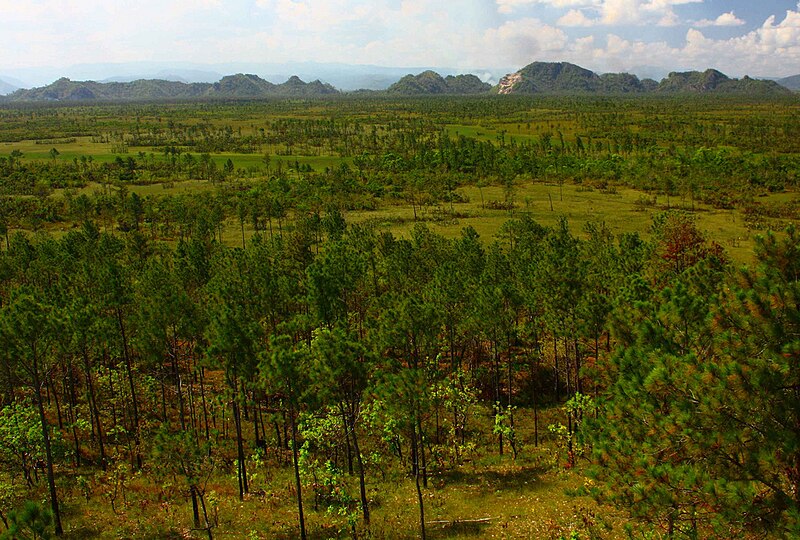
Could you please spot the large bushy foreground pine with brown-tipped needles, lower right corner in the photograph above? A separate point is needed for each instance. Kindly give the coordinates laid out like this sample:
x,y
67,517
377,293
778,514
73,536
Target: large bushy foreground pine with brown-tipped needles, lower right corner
x,y
699,429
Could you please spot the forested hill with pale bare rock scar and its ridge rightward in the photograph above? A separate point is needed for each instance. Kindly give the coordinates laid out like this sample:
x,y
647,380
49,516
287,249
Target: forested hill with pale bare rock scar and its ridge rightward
x,y
563,77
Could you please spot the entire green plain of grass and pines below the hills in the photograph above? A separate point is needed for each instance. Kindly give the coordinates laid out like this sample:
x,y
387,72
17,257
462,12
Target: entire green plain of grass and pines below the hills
x,y
377,317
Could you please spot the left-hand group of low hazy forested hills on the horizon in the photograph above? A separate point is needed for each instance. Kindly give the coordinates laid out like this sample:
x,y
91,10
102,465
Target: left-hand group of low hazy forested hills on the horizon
x,y
232,86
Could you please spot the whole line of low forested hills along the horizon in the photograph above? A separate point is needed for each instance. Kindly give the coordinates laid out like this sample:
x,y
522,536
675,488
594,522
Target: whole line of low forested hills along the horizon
x,y
535,78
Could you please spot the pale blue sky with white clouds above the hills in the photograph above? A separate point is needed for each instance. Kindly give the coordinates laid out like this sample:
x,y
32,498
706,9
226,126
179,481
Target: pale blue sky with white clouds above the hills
x,y
738,37
